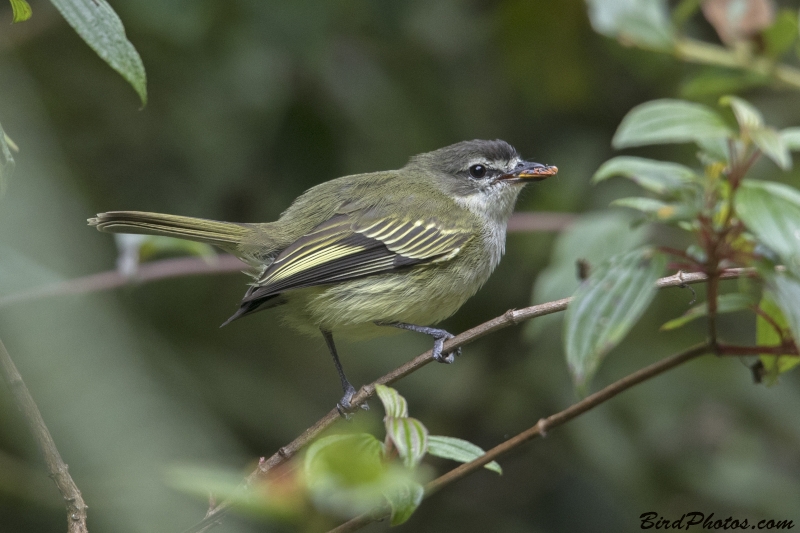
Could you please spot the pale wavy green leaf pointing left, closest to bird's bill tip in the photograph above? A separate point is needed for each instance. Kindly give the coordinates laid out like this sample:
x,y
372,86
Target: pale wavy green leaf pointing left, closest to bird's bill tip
x,y
660,177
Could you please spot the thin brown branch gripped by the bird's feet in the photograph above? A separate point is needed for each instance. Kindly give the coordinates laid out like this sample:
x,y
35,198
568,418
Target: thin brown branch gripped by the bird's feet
x,y
509,318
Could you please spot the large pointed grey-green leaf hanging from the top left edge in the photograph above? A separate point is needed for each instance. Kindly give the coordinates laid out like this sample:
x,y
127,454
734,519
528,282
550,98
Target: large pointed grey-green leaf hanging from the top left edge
x,y
100,27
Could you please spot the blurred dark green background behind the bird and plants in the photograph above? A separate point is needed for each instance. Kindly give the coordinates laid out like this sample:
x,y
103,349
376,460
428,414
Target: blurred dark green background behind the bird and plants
x,y
250,103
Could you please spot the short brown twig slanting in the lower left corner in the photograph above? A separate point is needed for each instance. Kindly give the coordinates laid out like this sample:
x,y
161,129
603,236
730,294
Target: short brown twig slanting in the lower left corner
x,y
76,508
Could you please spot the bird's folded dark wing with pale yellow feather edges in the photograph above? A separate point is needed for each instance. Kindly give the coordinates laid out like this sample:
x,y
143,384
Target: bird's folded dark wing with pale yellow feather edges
x,y
346,247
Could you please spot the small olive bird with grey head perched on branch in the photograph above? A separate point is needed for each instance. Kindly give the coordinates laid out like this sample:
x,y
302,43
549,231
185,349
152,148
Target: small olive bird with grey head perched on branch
x,y
403,248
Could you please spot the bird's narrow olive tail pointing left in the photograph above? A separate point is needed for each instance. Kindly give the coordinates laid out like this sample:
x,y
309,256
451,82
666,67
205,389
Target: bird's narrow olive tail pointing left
x,y
226,235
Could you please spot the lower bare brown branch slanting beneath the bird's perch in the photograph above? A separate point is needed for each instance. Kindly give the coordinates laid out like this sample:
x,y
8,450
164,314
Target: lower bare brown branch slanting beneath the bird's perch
x,y
540,429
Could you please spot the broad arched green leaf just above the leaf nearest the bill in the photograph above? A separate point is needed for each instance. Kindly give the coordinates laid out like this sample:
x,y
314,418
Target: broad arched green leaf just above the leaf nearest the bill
x,y
669,121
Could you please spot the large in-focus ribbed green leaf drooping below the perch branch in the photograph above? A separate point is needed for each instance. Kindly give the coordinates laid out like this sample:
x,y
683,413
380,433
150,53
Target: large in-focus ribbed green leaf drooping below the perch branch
x,y
606,306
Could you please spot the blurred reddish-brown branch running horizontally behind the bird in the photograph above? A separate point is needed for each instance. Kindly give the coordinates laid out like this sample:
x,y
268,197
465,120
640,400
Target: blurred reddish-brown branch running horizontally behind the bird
x,y
224,263
